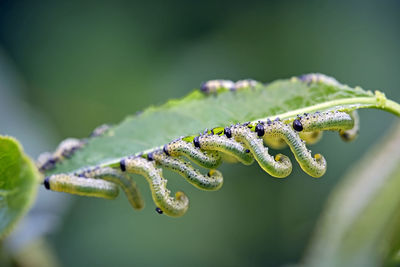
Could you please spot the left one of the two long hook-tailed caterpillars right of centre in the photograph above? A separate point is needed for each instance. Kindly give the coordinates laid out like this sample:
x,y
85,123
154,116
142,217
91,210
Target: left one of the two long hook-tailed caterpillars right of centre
x,y
280,166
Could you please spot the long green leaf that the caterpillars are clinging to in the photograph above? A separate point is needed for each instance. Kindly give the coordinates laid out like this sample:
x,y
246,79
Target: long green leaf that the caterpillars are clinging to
x,y
192,114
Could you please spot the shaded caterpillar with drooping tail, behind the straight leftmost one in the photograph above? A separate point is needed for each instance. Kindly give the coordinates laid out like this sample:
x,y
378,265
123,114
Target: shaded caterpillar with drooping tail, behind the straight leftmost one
x,y
124,181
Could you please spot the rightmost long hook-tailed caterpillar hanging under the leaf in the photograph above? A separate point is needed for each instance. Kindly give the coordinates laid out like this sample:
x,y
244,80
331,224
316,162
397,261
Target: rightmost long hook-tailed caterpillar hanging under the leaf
x,y
313,166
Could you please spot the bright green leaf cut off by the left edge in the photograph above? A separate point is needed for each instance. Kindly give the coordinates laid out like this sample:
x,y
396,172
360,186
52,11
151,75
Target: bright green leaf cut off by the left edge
x,y
19,180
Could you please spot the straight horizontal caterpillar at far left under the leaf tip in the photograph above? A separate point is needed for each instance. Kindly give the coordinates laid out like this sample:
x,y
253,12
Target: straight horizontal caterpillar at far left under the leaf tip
x,y
81,186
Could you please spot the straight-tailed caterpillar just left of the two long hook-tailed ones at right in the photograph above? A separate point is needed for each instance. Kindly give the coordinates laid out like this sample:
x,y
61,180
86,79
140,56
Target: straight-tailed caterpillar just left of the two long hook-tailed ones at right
x,y
225,145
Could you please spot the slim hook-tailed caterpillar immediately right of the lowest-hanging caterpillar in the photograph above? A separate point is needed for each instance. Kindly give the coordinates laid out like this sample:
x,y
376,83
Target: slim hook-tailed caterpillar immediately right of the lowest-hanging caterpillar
x,y
213,180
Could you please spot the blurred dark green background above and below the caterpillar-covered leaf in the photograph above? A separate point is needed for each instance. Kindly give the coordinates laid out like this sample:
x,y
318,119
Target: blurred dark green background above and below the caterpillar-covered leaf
x,y
75,65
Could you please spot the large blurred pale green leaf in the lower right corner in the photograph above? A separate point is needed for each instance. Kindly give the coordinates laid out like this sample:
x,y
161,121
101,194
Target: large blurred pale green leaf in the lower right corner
x,y
360,225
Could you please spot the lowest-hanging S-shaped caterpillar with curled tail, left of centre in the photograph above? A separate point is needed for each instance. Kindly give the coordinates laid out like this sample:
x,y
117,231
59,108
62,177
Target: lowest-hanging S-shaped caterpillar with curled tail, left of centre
x,y
174,207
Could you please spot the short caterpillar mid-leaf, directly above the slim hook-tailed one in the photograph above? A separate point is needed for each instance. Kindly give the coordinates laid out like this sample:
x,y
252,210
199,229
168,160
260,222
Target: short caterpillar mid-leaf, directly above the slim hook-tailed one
x,y
180,147
